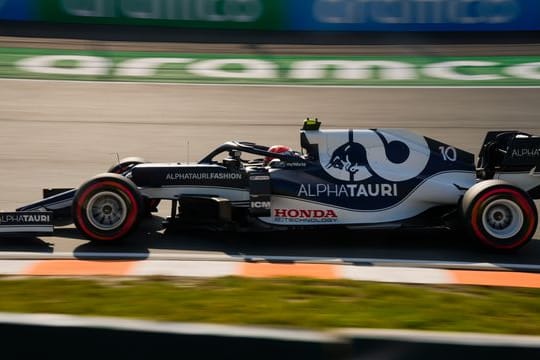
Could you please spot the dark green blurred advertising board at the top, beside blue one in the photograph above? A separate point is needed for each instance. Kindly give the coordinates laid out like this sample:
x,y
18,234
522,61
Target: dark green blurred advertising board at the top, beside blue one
x,y
210,14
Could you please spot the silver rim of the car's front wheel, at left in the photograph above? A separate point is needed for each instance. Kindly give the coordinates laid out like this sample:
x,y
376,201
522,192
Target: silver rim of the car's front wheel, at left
x,y
106,210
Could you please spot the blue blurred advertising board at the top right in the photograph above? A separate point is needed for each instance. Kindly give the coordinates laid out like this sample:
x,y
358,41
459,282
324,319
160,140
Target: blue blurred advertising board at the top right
x,y
415,15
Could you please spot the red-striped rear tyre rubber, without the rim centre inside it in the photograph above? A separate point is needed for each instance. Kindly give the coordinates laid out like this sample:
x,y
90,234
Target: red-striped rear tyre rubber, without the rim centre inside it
x,y
479,201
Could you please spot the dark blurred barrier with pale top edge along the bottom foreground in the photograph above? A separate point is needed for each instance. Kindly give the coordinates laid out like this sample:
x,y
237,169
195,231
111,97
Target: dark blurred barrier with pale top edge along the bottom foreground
x,y
67,337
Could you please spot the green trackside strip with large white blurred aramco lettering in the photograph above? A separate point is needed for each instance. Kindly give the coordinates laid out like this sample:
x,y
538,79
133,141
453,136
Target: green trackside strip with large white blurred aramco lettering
x,y
406,71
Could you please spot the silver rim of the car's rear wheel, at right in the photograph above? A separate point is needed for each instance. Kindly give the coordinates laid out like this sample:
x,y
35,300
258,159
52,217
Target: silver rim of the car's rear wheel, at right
x,y
502,218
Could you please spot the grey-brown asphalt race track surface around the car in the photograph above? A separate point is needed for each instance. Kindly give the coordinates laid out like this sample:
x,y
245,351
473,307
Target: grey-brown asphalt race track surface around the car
x,y
58,134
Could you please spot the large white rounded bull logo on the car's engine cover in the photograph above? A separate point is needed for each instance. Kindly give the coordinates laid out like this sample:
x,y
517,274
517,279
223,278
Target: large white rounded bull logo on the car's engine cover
x,y
357,155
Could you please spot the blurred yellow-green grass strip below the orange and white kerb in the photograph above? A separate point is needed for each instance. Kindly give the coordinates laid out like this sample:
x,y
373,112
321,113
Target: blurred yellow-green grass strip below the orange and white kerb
x,y
291,302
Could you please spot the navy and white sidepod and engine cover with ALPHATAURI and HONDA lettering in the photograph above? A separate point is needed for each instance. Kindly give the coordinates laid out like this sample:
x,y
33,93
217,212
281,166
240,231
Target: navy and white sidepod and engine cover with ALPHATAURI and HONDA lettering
x,y
368,177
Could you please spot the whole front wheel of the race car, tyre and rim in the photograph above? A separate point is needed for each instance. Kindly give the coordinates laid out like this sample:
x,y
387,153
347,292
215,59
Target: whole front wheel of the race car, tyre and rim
x,y
107,207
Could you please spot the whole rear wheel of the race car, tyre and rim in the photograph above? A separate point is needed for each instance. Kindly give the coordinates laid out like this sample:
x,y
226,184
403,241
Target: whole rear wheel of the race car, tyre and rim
x,y
500,216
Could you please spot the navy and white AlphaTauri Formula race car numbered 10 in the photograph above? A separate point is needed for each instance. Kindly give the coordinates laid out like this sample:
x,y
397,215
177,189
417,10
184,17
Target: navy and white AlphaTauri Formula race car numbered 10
x,y
351,178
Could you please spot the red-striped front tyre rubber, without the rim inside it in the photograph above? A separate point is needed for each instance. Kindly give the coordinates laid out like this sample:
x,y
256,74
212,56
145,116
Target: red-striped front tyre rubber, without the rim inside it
x,y
125,191
